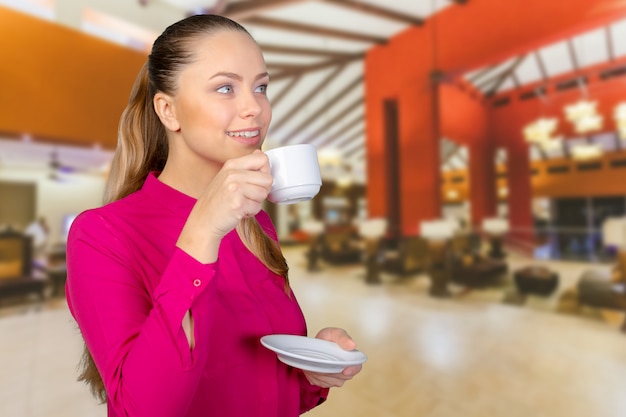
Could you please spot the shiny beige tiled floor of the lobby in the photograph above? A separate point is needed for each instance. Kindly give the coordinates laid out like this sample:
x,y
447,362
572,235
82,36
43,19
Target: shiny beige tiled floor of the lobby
x,y
471,355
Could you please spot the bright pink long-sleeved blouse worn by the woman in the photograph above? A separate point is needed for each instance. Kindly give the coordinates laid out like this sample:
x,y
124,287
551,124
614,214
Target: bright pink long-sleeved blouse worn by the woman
x,y
129,286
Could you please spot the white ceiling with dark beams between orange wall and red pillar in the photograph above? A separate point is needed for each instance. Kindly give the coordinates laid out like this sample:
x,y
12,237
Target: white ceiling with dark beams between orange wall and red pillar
x,y
314,51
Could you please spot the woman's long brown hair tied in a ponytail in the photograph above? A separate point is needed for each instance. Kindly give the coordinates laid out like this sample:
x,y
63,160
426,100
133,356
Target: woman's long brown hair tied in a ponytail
x,y
142,145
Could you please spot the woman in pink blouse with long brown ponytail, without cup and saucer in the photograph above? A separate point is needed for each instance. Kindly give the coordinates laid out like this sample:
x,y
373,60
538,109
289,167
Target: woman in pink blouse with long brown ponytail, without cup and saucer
x,y
176,279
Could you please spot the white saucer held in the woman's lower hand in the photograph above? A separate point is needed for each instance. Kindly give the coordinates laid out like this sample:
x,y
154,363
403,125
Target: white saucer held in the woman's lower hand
x,y
312,354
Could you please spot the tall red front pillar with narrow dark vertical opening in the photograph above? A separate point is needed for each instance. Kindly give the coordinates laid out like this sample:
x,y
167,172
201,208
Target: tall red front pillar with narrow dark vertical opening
x,y
392,74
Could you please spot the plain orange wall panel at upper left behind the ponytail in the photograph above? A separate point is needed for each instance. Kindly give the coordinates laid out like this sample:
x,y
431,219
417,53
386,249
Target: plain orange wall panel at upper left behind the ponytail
x,y
59,84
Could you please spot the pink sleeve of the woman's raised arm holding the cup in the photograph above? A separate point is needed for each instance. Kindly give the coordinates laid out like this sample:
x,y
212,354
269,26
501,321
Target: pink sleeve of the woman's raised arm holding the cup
x,y
136,339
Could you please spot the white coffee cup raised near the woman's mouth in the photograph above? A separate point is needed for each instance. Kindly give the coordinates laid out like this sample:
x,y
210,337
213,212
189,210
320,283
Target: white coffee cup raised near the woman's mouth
x,y
296,173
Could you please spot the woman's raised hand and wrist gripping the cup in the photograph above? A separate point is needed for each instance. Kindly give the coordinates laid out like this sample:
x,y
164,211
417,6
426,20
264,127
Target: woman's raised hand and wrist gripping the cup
x,y
237,191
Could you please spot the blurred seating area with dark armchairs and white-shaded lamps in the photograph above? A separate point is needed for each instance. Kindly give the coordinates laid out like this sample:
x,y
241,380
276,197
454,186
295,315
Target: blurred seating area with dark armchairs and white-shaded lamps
x,y
452,261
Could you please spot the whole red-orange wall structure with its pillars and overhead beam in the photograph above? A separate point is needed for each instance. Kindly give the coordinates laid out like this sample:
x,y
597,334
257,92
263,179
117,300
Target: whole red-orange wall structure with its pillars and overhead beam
x,y
467,36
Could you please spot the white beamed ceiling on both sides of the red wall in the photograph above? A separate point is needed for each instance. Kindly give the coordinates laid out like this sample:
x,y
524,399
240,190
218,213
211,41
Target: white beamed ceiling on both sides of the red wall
x,y
314,51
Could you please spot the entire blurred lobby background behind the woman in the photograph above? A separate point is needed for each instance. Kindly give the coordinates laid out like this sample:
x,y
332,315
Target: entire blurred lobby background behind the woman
x,y
470,232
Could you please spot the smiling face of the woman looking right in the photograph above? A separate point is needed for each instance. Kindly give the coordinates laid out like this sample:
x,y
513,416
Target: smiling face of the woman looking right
x,y
220,105
